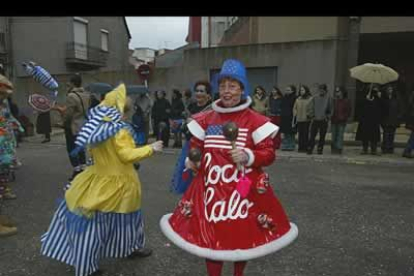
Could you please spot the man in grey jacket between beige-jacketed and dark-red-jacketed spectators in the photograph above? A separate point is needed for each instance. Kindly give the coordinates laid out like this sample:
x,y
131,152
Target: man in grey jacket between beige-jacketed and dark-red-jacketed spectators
x,y
320,111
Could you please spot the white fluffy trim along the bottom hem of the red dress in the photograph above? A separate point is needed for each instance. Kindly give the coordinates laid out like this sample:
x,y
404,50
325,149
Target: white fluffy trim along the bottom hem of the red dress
x,y
228,255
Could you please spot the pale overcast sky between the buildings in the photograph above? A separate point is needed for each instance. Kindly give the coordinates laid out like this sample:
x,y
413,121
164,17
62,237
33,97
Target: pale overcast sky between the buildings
x,y
157,32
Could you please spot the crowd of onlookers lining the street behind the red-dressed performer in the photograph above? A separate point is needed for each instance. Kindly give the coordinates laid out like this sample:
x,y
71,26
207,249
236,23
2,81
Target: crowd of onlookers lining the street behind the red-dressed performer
x,y
302,113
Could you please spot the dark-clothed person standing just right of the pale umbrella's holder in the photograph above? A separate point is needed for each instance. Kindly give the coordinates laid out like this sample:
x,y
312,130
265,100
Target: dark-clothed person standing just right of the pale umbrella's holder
x,y
391,121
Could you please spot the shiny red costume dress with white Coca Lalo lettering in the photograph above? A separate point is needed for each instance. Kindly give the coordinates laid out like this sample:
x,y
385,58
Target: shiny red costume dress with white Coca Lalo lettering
x,y
211,220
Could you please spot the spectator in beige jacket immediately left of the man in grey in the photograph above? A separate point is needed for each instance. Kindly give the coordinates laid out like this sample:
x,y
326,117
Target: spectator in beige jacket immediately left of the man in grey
x,y
301,110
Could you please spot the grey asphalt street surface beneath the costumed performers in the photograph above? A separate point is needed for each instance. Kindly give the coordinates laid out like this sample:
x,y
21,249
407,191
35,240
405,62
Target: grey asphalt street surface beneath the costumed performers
x,y
354,214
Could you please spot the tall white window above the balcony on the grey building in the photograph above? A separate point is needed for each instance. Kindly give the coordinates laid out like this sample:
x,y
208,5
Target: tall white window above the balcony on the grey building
x,y
80,37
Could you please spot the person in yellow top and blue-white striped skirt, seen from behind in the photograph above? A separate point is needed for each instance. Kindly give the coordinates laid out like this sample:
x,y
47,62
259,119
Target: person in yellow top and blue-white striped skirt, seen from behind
x,y
101,215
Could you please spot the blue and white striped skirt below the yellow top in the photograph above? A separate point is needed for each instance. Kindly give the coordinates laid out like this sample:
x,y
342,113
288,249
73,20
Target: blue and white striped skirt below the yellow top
x,y
81,242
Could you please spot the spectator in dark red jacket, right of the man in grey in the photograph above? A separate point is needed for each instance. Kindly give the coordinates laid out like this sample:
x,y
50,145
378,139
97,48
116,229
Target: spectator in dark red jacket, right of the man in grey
x,y
341,112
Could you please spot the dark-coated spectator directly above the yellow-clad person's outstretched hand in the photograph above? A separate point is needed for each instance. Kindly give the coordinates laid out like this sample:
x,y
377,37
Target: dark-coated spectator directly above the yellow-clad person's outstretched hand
x,y
161,112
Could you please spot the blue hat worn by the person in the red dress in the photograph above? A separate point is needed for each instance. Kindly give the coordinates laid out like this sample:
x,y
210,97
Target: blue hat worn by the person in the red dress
x,y
234,69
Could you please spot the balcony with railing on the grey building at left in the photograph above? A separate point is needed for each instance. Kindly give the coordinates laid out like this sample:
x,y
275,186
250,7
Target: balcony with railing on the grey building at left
x,y
85,56
